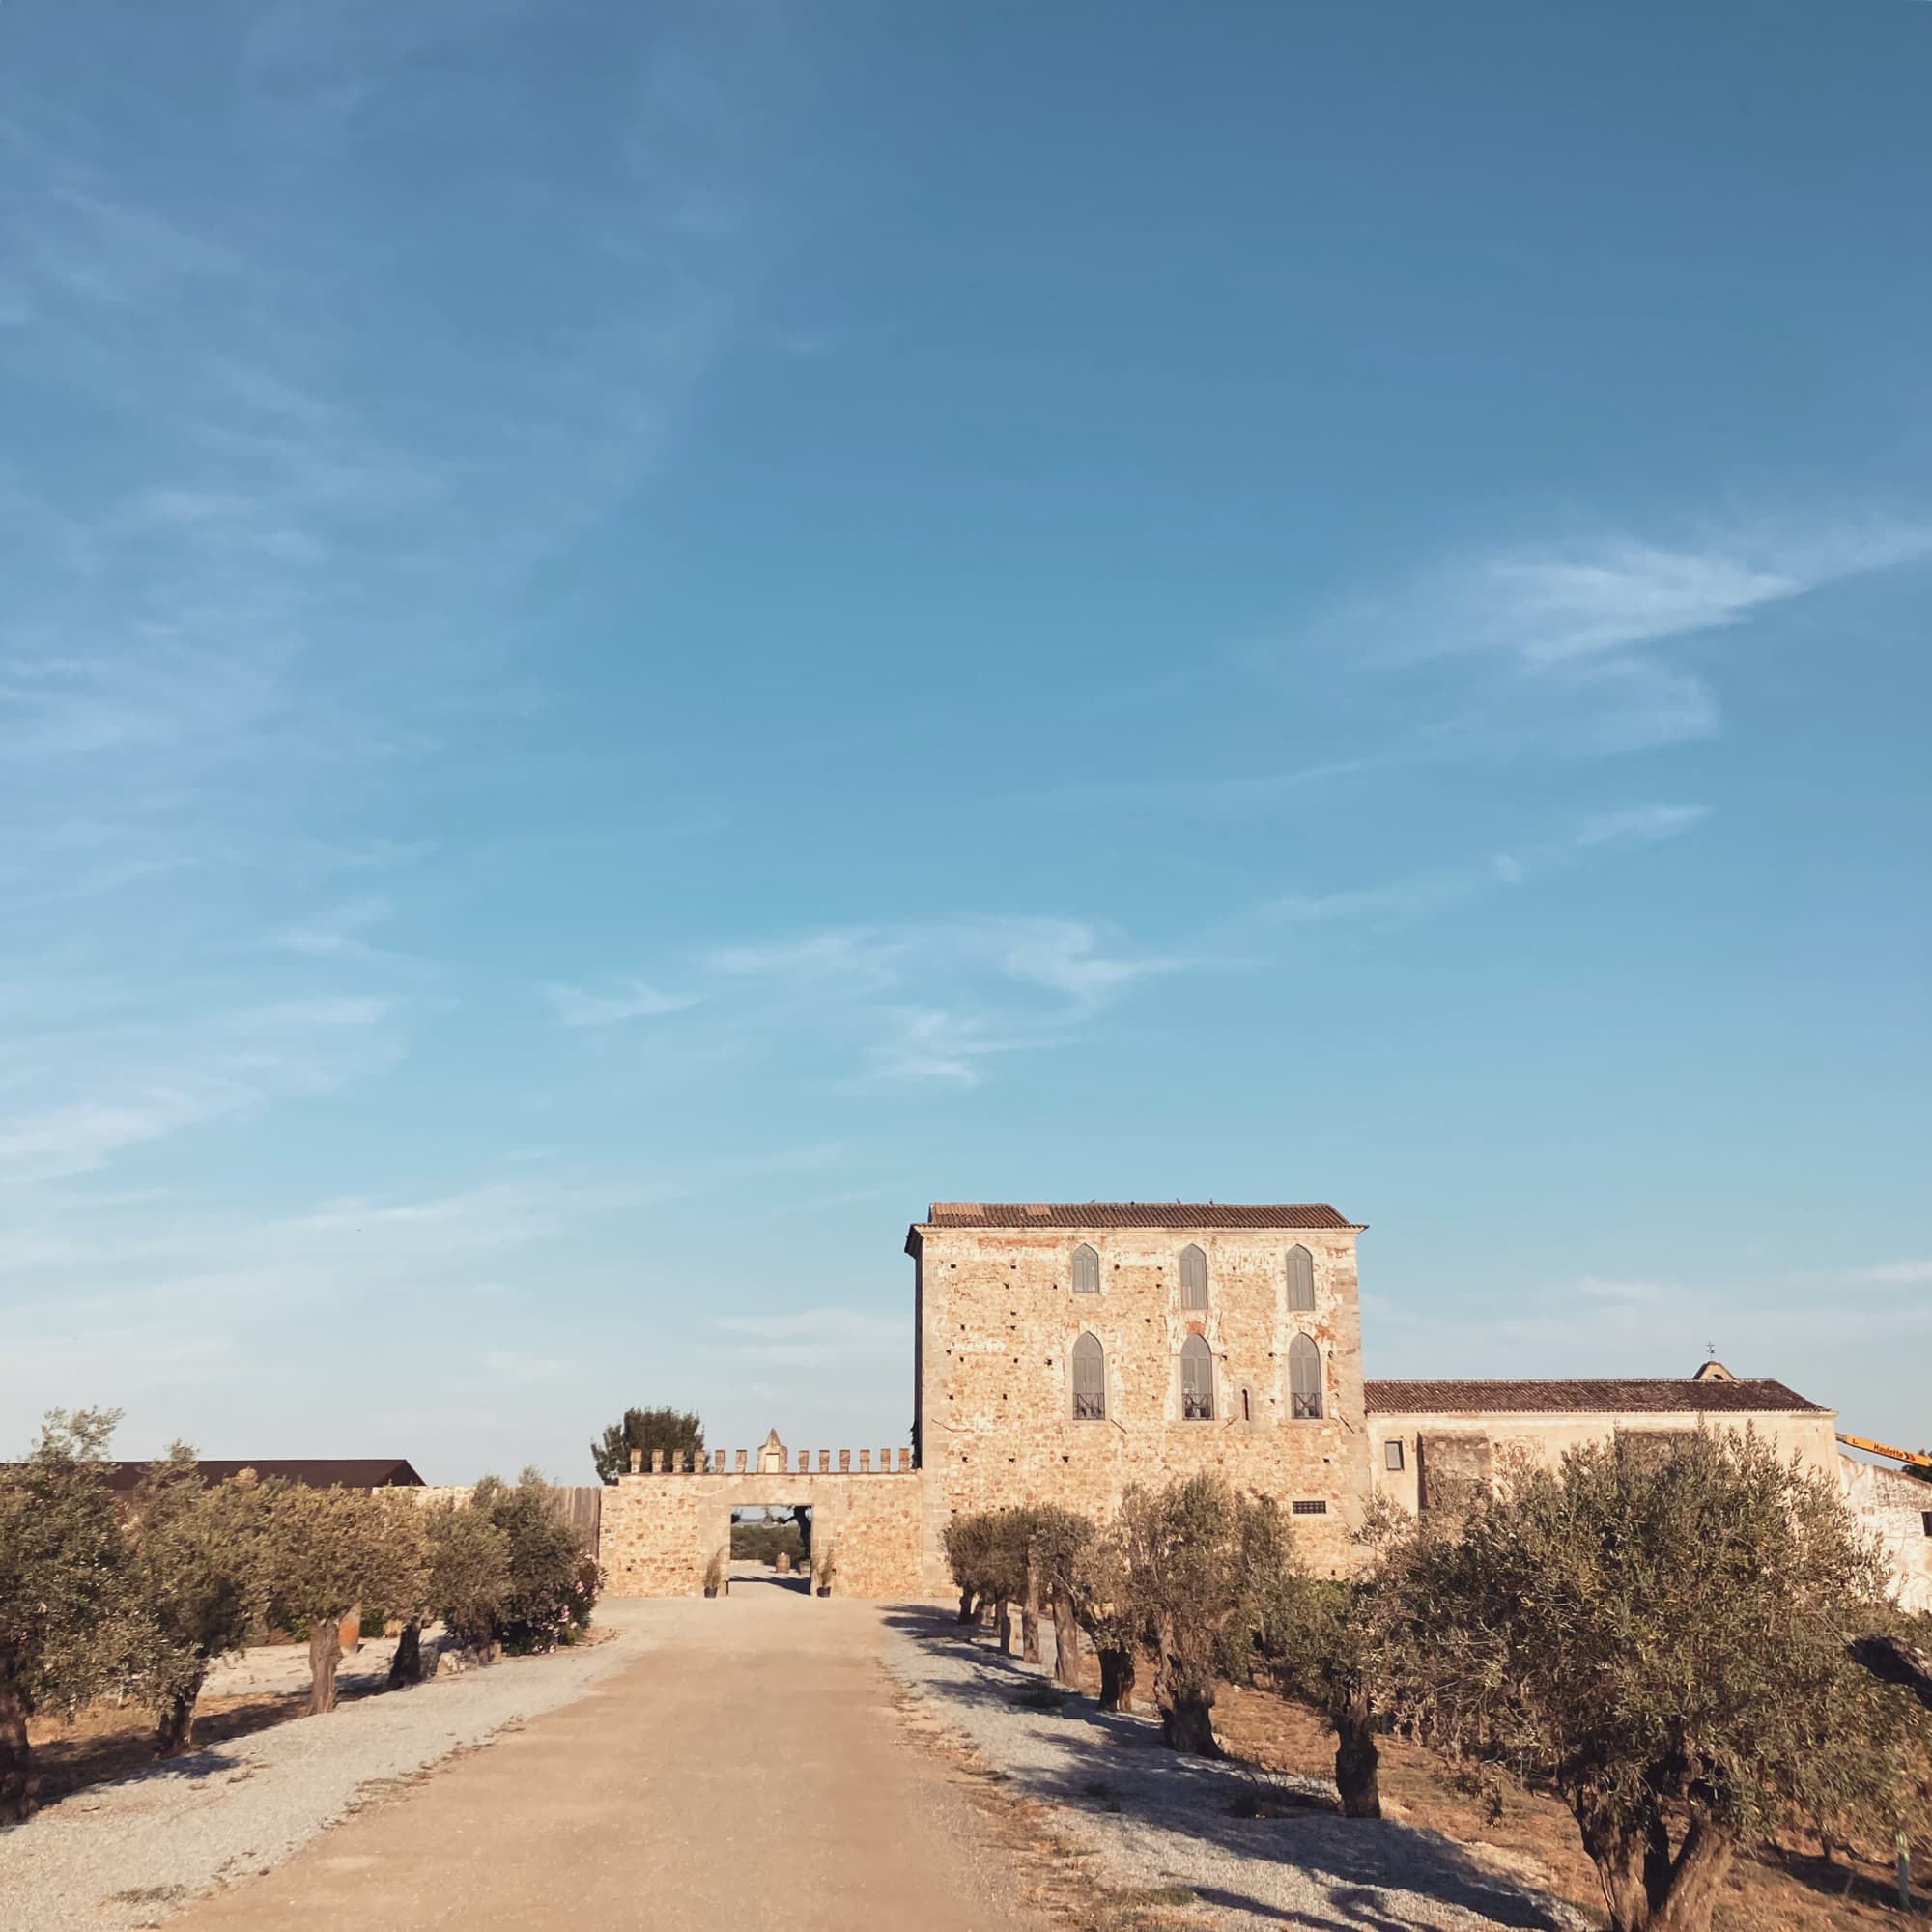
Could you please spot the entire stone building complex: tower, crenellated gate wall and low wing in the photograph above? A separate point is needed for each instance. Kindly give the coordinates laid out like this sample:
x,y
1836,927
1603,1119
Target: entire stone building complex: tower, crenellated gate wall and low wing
x,y
1069,1350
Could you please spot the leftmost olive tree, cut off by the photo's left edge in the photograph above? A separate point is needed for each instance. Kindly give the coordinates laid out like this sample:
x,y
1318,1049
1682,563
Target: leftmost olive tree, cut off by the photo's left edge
x,y
69,1628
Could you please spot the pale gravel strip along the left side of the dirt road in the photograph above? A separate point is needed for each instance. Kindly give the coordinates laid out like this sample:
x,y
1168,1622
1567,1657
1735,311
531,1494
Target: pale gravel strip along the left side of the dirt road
x,y
134,1852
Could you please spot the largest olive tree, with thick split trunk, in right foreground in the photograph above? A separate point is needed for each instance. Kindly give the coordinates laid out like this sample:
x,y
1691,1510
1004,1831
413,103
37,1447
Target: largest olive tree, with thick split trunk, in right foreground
x,y
1664,1641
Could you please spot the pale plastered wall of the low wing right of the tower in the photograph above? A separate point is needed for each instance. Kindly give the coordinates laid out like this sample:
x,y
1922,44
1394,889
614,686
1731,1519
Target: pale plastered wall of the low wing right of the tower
x,y
1433,1440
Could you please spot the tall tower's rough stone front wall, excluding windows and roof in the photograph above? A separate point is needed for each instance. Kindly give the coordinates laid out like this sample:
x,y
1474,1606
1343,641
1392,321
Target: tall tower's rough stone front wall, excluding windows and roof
x,y
998,1324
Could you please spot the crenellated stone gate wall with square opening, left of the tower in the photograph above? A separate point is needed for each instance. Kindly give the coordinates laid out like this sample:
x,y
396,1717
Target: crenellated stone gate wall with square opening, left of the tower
x,y
662,1531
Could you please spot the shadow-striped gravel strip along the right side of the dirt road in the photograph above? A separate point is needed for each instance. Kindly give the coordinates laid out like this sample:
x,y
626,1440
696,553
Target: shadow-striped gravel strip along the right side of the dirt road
x,y
1156,1819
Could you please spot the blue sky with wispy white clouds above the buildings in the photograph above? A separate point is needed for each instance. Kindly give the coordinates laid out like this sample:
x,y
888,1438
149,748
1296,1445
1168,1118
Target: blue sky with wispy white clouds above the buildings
x,y
639,639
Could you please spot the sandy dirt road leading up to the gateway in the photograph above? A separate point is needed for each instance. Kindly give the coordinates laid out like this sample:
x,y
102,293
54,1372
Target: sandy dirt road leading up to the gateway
x,y
747,1773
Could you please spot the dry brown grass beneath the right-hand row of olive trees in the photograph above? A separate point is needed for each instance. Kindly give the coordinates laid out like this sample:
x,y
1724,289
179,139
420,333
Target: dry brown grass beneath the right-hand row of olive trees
x,y
1535,1838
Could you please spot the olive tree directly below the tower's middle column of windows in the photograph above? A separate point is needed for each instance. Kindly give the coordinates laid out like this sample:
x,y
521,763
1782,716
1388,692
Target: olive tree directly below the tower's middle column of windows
x,y
1207,1577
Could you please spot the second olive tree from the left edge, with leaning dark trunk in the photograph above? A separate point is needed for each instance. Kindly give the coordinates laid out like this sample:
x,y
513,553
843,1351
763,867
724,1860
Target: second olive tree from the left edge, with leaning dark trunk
x,y
200,1574
